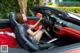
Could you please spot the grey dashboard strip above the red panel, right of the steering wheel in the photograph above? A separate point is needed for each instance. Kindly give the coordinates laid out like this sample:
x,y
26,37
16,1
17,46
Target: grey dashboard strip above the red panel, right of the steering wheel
x,y
65,23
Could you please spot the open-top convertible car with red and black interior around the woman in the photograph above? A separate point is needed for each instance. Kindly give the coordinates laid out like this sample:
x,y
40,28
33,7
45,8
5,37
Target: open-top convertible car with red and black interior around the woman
x,y
62,32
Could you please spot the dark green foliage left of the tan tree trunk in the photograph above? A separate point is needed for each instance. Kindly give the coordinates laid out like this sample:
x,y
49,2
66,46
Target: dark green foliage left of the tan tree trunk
x,y
7,6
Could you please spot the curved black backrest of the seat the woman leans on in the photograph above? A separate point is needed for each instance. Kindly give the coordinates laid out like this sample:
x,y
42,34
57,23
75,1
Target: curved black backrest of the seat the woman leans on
x,y
21,34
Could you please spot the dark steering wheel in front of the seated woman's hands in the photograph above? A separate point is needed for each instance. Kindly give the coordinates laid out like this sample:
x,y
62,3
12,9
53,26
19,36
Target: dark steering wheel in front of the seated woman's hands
x,y
47,22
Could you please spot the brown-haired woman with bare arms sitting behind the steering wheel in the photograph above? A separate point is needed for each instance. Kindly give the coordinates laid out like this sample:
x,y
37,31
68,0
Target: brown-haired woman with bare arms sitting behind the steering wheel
x,y
21,18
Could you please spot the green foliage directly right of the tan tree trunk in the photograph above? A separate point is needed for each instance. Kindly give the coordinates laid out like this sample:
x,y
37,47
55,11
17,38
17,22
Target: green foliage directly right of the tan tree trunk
x,y
33,3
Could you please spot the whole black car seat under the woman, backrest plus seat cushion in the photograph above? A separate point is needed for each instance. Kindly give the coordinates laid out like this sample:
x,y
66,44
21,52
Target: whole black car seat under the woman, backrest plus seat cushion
x,y
23,38
